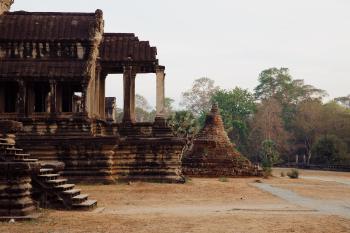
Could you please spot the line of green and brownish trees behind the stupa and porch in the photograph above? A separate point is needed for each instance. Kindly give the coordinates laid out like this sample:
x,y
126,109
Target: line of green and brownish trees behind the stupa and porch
x,y
284,120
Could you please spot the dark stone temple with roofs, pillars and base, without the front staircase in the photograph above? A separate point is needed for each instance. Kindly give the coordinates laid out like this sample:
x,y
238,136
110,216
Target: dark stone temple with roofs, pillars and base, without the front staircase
x,y
53,68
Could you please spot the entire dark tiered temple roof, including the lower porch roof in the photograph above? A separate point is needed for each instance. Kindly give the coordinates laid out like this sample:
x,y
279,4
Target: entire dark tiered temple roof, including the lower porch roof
x,y
54,28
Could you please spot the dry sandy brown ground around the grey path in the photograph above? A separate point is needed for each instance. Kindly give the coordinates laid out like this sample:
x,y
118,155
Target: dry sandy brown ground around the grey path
x,y
201,205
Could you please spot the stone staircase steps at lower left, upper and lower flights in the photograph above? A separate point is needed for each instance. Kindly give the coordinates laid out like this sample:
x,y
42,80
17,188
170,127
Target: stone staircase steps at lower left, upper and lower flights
x,y
49,187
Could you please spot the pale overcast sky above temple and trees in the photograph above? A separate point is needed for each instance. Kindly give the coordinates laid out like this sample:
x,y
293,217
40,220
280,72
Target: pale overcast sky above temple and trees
x,y
230,41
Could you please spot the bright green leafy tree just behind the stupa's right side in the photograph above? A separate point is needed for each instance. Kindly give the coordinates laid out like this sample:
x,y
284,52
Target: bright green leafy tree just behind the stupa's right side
x,y
236,107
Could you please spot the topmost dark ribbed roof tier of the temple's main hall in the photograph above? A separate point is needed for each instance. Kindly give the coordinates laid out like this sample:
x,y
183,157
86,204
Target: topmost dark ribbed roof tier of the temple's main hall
x,y
47,26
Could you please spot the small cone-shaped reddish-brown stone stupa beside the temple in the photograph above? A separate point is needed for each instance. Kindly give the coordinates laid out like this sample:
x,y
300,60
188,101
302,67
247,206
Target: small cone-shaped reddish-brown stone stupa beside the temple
x,y
212,153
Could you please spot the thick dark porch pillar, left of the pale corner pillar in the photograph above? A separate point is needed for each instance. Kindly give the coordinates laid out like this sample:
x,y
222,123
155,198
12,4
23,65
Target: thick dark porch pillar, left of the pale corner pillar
x,y
129,94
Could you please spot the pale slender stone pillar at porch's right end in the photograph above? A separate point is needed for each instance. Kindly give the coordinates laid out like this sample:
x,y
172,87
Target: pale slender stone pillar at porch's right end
x,y
160,99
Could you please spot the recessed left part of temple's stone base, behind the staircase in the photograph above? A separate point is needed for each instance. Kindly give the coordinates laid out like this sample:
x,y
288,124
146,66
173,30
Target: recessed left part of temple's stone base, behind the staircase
x,y
79,144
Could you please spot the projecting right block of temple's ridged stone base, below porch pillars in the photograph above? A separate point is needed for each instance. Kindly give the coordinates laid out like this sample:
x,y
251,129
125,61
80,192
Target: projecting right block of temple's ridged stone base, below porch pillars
x,y
149,159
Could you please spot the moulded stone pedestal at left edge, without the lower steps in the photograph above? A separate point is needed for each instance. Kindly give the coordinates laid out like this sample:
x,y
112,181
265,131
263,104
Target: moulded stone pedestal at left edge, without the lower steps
x,y
15,175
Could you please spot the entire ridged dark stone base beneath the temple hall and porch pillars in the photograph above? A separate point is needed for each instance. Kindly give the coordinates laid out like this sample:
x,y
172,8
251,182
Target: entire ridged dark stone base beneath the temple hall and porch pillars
x,y
101,152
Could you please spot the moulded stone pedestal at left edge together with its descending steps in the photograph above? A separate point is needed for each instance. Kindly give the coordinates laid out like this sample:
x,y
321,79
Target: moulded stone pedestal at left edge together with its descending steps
x,y
23,179
